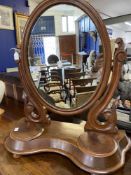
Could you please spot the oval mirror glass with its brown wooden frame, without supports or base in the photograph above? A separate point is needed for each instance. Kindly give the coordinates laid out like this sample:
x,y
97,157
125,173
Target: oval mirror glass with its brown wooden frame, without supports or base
x,y
65,56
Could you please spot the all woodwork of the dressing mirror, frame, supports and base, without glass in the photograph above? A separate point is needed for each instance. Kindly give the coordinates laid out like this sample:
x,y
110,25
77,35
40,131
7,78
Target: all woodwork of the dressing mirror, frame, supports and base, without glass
x,y
101,147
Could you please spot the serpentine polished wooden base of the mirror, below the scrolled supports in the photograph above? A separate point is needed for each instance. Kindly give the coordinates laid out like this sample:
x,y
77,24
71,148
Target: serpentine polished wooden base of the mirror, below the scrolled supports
x,y
93,152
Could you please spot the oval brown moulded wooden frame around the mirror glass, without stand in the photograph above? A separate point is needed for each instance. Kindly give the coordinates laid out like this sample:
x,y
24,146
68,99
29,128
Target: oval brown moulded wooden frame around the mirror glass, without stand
x,y
25,75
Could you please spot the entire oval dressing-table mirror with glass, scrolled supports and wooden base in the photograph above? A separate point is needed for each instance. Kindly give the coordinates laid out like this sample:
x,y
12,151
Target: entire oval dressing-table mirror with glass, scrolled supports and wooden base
x,y
51,58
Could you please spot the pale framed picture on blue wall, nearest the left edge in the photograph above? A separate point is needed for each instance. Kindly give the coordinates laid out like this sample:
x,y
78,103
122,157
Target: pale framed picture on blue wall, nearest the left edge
x,y
6,18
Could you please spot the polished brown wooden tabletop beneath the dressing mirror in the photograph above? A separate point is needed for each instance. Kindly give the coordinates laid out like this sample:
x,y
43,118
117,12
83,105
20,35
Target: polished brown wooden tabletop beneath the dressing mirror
x,y
38,164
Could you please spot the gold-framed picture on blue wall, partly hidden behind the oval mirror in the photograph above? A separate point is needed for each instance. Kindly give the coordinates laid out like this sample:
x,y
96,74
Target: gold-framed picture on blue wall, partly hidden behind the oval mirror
x,y
20,21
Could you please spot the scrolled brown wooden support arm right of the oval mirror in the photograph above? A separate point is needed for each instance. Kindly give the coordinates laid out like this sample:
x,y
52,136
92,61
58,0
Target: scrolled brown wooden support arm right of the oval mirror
x,y
92,120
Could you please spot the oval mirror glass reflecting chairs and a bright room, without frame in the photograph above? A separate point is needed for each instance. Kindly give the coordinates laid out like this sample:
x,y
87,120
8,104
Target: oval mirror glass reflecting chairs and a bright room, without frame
x,y
65,56
